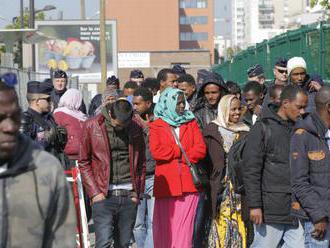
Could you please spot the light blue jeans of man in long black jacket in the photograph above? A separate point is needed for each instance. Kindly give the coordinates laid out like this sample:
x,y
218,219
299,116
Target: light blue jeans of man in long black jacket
x,y
272,235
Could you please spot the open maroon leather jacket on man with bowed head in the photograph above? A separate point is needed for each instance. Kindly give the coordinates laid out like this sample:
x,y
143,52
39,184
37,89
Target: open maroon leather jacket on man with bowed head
x,y
95,157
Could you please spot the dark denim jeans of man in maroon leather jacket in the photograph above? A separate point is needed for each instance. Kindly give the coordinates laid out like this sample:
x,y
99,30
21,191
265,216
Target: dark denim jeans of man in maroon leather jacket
x,y
114,219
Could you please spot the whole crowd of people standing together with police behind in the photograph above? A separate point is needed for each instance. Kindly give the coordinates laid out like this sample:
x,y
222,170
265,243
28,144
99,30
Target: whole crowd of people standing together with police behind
x,y
170,161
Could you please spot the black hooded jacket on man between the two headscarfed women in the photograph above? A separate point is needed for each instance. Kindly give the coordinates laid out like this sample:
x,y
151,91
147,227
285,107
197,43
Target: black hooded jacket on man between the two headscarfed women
x,y
204,112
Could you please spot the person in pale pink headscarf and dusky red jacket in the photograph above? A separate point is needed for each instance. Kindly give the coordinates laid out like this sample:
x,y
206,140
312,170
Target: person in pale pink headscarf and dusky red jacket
x,y
69,116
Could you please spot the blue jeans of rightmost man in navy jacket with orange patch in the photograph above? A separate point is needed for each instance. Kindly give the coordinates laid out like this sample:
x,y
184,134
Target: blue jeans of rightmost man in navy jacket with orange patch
x,y
310,242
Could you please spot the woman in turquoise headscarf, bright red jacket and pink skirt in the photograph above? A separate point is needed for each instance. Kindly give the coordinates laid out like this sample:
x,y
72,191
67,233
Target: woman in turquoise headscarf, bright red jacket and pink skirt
x,y
174,190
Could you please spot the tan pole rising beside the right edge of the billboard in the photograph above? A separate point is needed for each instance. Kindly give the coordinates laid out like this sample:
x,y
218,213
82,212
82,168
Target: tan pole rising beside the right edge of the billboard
x,y
103,48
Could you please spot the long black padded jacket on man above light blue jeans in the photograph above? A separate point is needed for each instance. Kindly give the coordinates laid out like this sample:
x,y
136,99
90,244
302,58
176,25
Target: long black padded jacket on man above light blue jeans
x,y
267,169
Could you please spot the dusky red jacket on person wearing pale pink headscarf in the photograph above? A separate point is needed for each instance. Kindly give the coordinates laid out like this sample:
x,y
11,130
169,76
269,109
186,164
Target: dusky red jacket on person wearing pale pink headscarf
x,y
74,128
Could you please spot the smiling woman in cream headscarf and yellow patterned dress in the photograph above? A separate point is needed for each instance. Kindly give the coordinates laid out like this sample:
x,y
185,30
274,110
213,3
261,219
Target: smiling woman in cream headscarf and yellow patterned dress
x,y
227,228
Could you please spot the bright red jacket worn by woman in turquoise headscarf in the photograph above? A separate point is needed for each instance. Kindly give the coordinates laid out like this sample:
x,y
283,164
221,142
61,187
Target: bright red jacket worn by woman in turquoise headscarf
x,y
171,177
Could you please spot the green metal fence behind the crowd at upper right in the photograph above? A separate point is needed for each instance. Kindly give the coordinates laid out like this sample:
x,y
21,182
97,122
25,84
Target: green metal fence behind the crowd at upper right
x,y
311,42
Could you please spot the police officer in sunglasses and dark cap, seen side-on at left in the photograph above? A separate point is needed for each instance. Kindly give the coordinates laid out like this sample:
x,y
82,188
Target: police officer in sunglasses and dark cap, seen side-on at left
x,y
38,122
